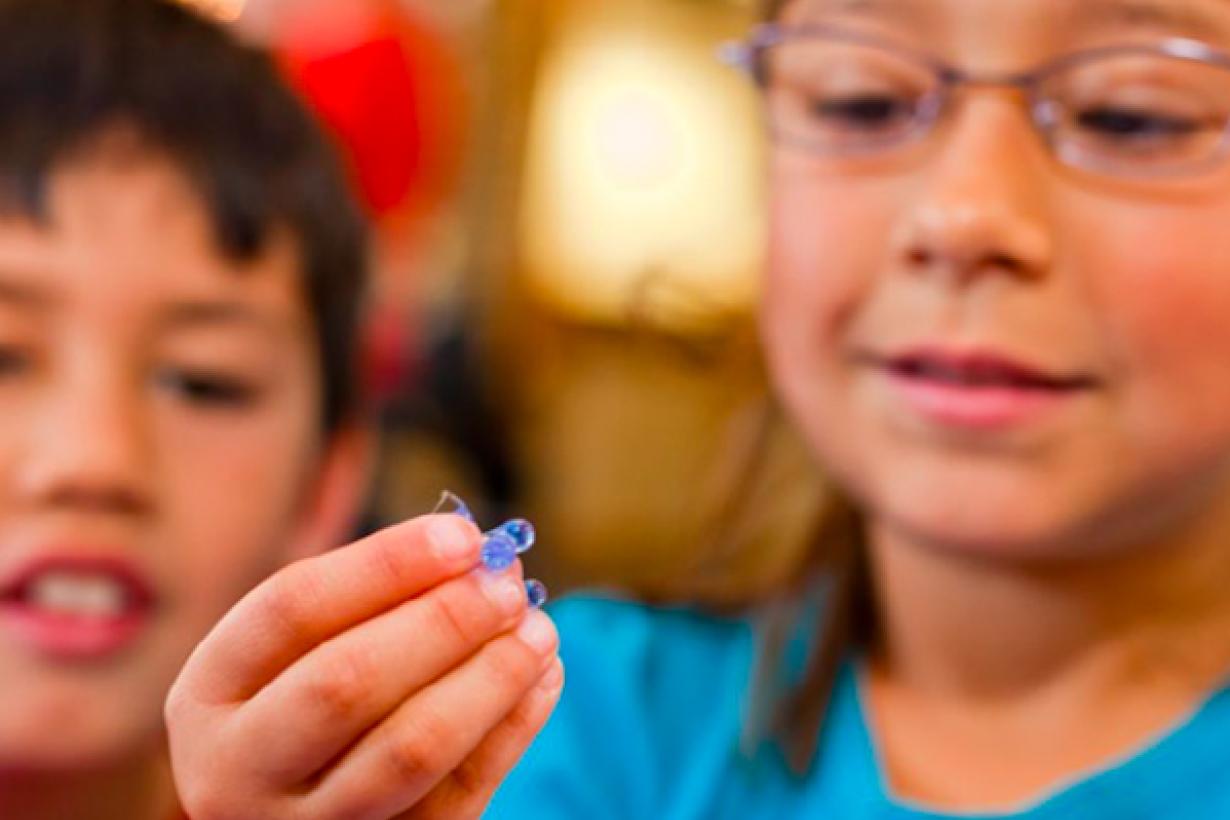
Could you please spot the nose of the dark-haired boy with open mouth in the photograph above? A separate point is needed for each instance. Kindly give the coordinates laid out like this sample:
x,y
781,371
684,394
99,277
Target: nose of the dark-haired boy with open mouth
x,y
88,452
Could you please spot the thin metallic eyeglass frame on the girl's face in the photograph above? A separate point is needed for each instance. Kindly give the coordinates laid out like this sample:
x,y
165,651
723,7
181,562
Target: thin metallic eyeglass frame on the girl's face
x,y
746,56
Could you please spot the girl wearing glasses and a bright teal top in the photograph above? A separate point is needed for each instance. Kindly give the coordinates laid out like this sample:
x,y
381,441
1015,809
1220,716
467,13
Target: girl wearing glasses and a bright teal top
x,y
998,315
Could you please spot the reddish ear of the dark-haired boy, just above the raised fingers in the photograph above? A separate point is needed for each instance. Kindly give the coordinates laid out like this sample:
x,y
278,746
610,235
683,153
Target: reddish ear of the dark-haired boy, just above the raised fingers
x,y
336,495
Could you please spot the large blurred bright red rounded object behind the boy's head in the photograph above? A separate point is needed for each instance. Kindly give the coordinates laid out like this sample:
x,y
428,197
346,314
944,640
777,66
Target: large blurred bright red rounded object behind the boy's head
x,y
393,92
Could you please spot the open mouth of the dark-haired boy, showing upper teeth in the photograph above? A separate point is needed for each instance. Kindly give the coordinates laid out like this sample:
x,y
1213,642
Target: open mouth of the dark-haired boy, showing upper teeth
x,y
76,609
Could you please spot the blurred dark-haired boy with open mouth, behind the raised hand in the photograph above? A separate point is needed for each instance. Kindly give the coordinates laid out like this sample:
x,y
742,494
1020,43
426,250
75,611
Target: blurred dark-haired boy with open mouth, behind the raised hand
x,y
180,272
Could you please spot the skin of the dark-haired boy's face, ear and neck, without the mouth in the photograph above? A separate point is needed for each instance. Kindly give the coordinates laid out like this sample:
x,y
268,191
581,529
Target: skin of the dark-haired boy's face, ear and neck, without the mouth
x,y
117,314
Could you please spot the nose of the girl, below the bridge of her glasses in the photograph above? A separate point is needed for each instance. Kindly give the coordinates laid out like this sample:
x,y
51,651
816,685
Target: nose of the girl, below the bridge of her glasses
x,y
981,208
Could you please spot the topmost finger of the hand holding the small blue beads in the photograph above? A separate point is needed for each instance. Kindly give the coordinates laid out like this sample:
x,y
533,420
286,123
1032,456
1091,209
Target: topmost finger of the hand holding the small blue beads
x,y
315,599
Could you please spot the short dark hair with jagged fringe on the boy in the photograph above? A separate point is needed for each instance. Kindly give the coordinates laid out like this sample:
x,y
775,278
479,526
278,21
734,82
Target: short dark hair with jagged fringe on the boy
x,y
73,72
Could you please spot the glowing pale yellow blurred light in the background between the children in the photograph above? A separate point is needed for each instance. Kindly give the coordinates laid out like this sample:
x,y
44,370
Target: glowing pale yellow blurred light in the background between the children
x,y
641,169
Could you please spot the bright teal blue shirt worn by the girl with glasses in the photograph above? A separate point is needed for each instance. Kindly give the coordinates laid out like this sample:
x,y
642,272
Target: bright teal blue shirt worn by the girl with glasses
x,y
650,723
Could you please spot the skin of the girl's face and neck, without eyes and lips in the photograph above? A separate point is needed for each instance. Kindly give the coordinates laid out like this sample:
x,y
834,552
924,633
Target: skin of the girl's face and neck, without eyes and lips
x,y
1052,596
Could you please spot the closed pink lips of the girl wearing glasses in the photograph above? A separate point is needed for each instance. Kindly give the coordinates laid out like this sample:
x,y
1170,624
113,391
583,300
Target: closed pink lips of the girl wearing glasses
x,y
977,392
